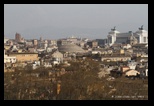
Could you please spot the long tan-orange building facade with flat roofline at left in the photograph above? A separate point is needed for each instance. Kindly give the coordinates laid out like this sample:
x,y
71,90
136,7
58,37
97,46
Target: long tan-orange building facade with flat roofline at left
x,y
23,57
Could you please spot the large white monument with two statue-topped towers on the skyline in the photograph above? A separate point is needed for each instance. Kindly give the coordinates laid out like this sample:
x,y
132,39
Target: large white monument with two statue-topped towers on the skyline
x,y
115,36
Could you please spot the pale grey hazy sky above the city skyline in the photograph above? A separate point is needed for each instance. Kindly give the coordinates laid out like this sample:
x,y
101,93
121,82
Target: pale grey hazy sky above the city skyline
x,y
54,21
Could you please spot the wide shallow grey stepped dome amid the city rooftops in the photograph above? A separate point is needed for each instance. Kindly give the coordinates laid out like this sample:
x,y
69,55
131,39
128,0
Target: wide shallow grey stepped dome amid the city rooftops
x,y
70,48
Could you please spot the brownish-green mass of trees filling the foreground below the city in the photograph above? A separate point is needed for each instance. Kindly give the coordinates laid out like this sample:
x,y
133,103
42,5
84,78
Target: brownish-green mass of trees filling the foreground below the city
x,y
81,82
